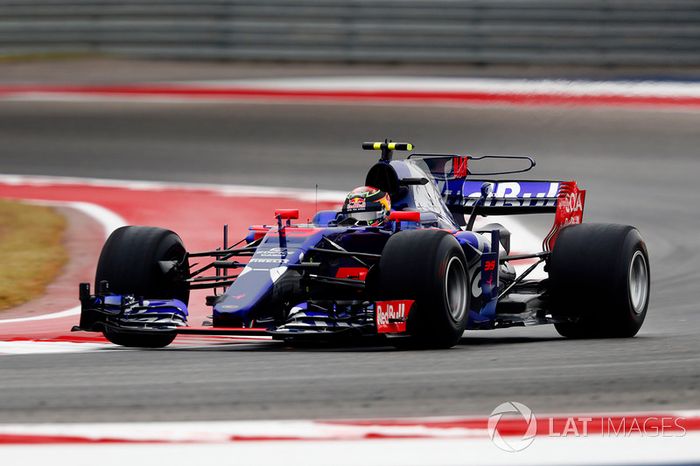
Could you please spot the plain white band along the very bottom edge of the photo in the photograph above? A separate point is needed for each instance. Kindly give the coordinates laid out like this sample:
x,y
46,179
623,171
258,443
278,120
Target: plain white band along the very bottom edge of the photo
x,y
434,452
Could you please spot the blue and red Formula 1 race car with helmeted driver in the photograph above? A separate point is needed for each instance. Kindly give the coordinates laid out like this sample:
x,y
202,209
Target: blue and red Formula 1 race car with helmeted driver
x,y
401,262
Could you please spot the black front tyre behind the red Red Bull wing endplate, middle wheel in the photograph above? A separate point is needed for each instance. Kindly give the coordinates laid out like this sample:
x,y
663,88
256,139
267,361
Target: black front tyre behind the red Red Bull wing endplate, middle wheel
x,y
429,267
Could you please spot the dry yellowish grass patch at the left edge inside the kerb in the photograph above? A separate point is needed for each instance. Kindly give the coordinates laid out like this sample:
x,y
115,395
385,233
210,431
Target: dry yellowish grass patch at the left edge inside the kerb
x,y
32,252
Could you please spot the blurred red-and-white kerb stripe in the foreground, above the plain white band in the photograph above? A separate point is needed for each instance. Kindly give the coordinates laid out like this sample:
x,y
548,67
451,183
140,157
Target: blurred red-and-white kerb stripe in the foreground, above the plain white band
x,y
267,430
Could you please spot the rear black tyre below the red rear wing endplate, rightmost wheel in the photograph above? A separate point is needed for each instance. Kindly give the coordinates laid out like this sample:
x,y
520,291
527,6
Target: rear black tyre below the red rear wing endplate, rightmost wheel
x,y
600,281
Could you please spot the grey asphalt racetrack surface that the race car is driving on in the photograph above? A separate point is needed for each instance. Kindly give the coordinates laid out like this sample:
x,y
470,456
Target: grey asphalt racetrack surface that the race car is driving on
x,y
640,166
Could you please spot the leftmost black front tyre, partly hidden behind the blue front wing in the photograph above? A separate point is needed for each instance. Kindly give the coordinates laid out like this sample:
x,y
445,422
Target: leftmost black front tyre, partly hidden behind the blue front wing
x,y
129,262
